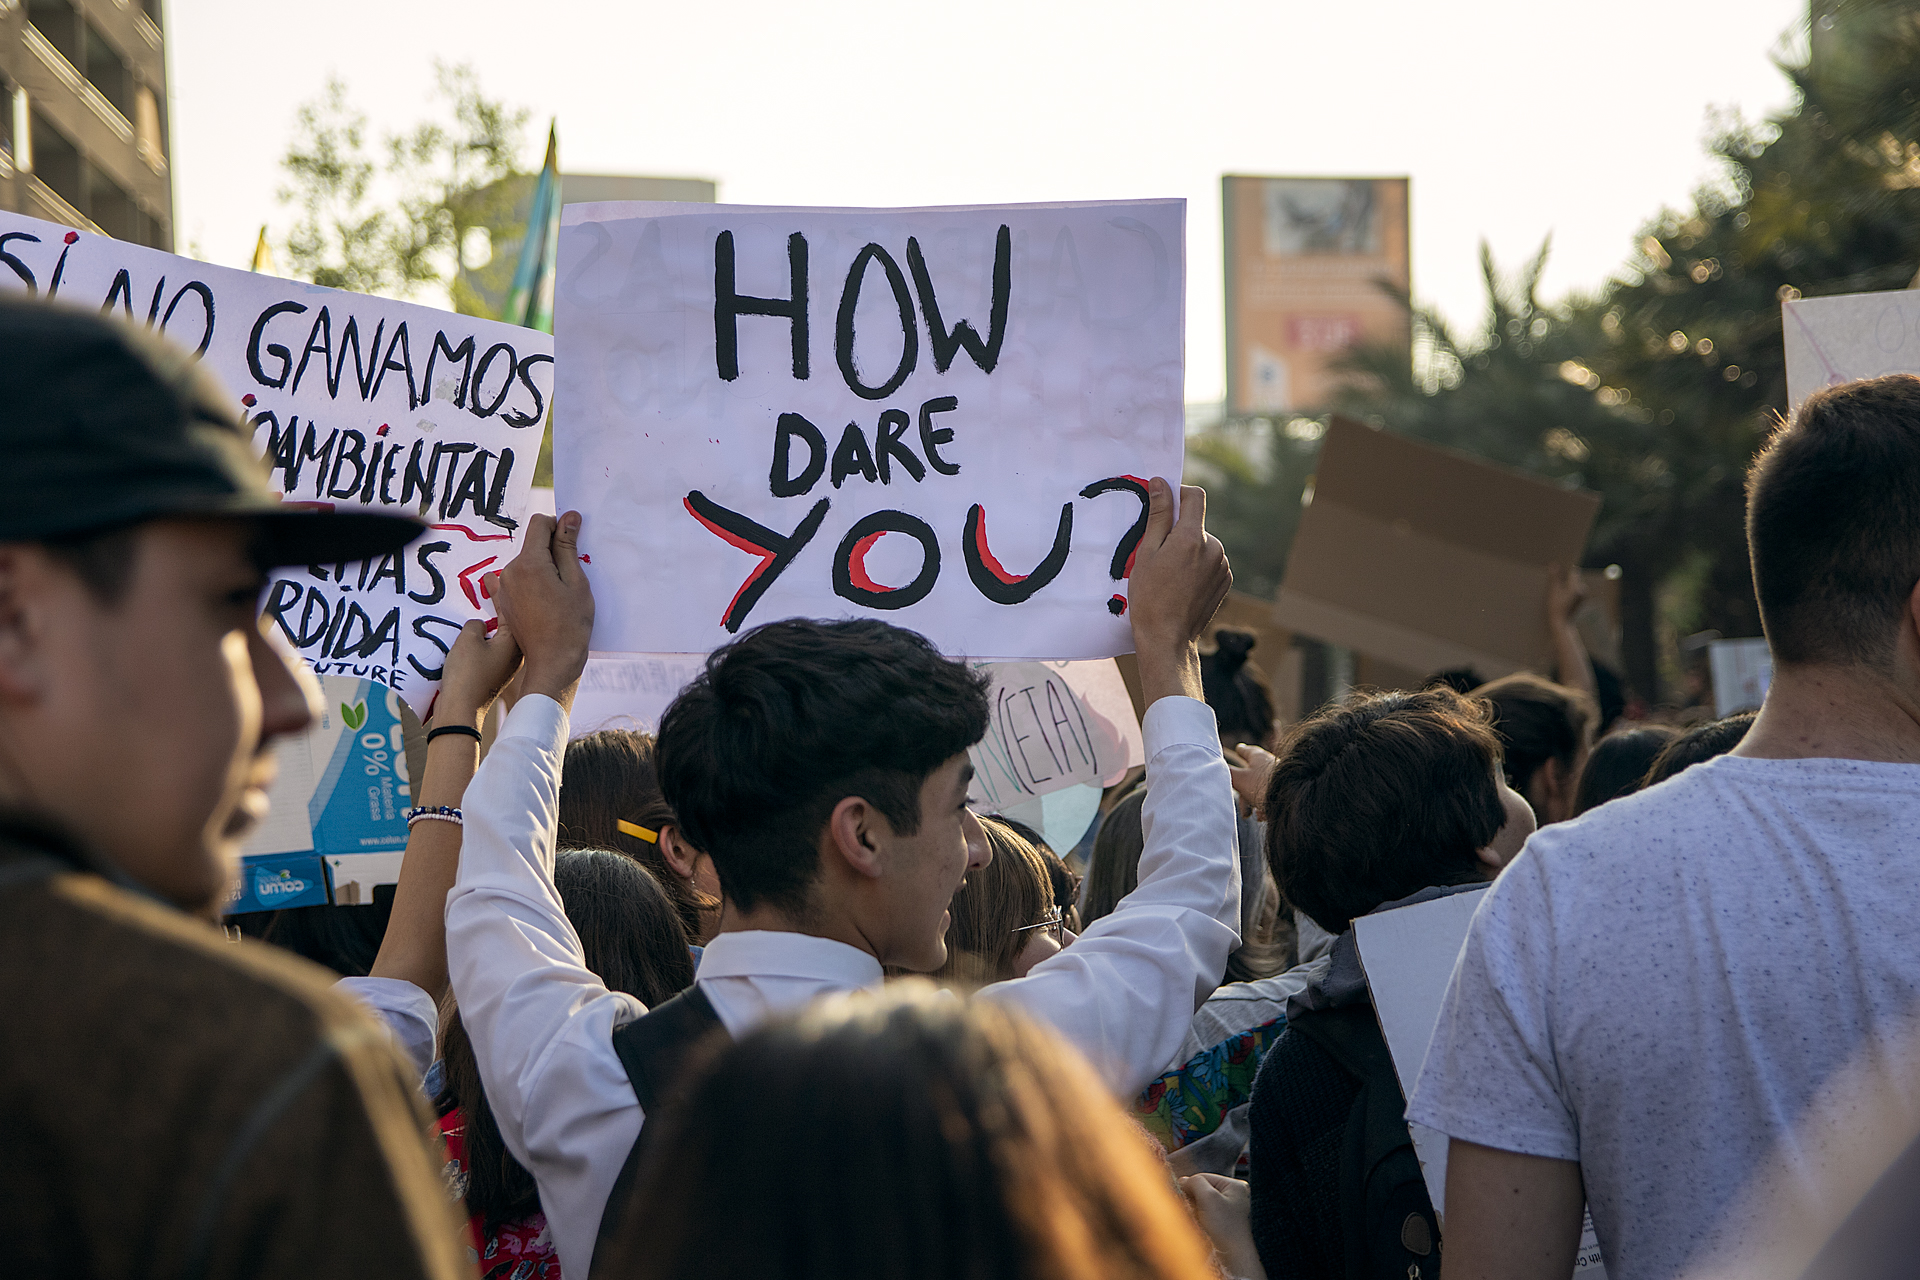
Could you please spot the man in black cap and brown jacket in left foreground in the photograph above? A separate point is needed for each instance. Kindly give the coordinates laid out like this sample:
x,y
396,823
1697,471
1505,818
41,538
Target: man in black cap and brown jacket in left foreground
x,y
170,1102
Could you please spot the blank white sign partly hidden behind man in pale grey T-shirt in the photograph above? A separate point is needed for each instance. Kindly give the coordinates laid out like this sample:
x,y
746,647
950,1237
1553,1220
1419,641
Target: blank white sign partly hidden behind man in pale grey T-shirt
x,y
1408,957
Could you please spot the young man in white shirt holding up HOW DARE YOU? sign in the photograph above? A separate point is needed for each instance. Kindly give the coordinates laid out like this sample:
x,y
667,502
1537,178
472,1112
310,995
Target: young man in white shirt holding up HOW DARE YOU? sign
x,y
825,770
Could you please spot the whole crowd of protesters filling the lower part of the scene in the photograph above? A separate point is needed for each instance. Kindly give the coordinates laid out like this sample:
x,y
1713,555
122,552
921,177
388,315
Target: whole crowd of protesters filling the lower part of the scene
x,y
761,995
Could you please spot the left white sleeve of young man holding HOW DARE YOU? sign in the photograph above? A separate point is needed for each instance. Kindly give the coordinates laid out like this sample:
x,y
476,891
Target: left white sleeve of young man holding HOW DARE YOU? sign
x,y
540,1022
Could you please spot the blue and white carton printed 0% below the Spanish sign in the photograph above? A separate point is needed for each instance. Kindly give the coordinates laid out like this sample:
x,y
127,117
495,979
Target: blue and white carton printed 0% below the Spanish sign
x,y
343,794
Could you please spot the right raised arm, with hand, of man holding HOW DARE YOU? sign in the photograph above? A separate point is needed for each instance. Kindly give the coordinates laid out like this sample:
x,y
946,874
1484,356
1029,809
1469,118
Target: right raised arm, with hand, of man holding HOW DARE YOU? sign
x,y
1126,991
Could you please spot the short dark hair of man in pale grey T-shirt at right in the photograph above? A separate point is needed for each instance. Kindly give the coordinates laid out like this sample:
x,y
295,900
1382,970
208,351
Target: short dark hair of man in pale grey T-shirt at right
x,y
1835,523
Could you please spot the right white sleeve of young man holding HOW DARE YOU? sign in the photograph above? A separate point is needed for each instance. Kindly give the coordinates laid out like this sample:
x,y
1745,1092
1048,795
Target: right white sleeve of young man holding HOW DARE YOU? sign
x,y
1126,991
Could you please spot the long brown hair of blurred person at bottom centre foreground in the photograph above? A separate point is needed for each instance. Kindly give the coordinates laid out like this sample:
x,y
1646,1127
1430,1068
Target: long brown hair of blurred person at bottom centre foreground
x,y
903,1137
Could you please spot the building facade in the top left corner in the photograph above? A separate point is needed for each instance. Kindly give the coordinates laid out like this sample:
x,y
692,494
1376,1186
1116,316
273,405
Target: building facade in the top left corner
x,y
84,116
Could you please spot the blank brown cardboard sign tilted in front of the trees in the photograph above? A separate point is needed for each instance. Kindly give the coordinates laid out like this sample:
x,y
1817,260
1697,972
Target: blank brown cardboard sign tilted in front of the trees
x,y
1429,559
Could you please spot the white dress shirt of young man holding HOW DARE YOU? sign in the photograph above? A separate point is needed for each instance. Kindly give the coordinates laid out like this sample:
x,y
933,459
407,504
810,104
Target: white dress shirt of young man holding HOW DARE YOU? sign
x,y
542,1024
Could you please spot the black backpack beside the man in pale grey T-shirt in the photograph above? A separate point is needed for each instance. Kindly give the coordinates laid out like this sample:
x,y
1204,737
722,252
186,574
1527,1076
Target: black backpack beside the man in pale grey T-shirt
x,y
1387,1220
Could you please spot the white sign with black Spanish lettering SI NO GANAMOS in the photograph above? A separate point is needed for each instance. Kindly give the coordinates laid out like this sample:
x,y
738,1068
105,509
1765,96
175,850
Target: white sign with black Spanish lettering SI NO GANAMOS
x,y
358,404
